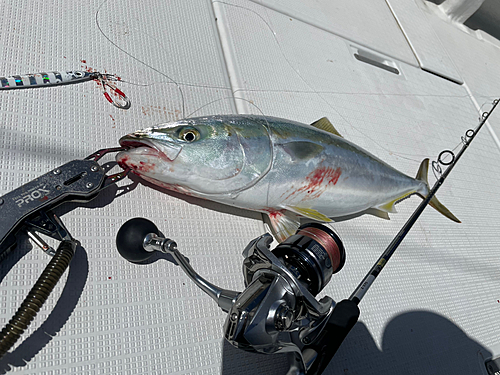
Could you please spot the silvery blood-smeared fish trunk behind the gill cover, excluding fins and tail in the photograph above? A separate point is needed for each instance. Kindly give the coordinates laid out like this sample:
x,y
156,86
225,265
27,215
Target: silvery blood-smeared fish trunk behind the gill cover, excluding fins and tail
x,y
341,179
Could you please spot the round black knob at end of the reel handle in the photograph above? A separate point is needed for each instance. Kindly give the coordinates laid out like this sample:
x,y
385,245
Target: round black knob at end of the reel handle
x,y
130,239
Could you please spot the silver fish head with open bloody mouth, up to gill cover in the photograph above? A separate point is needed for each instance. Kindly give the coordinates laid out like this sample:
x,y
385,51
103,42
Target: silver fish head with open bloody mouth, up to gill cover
x,y
205,155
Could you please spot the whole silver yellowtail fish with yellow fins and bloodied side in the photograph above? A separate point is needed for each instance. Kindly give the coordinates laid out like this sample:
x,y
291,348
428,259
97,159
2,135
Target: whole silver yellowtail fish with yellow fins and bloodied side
x,y
279,167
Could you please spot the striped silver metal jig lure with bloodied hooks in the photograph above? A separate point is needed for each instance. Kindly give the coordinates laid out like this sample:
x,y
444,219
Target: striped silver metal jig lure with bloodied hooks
x,y
35,80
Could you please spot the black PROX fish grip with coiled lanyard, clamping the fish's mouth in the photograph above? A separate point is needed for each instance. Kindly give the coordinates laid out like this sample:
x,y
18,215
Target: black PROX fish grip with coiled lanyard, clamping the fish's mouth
x,y
28,209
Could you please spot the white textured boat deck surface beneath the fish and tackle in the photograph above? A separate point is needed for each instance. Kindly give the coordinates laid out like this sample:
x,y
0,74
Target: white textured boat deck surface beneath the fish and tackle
x,y
435,309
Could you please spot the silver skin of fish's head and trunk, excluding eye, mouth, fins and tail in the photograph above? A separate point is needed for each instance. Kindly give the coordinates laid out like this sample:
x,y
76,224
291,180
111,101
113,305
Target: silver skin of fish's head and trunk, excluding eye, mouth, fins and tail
x,y
286,165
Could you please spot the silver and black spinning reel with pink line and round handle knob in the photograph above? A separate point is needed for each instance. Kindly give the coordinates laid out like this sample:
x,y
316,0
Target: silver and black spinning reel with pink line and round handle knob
x,y
277,312
